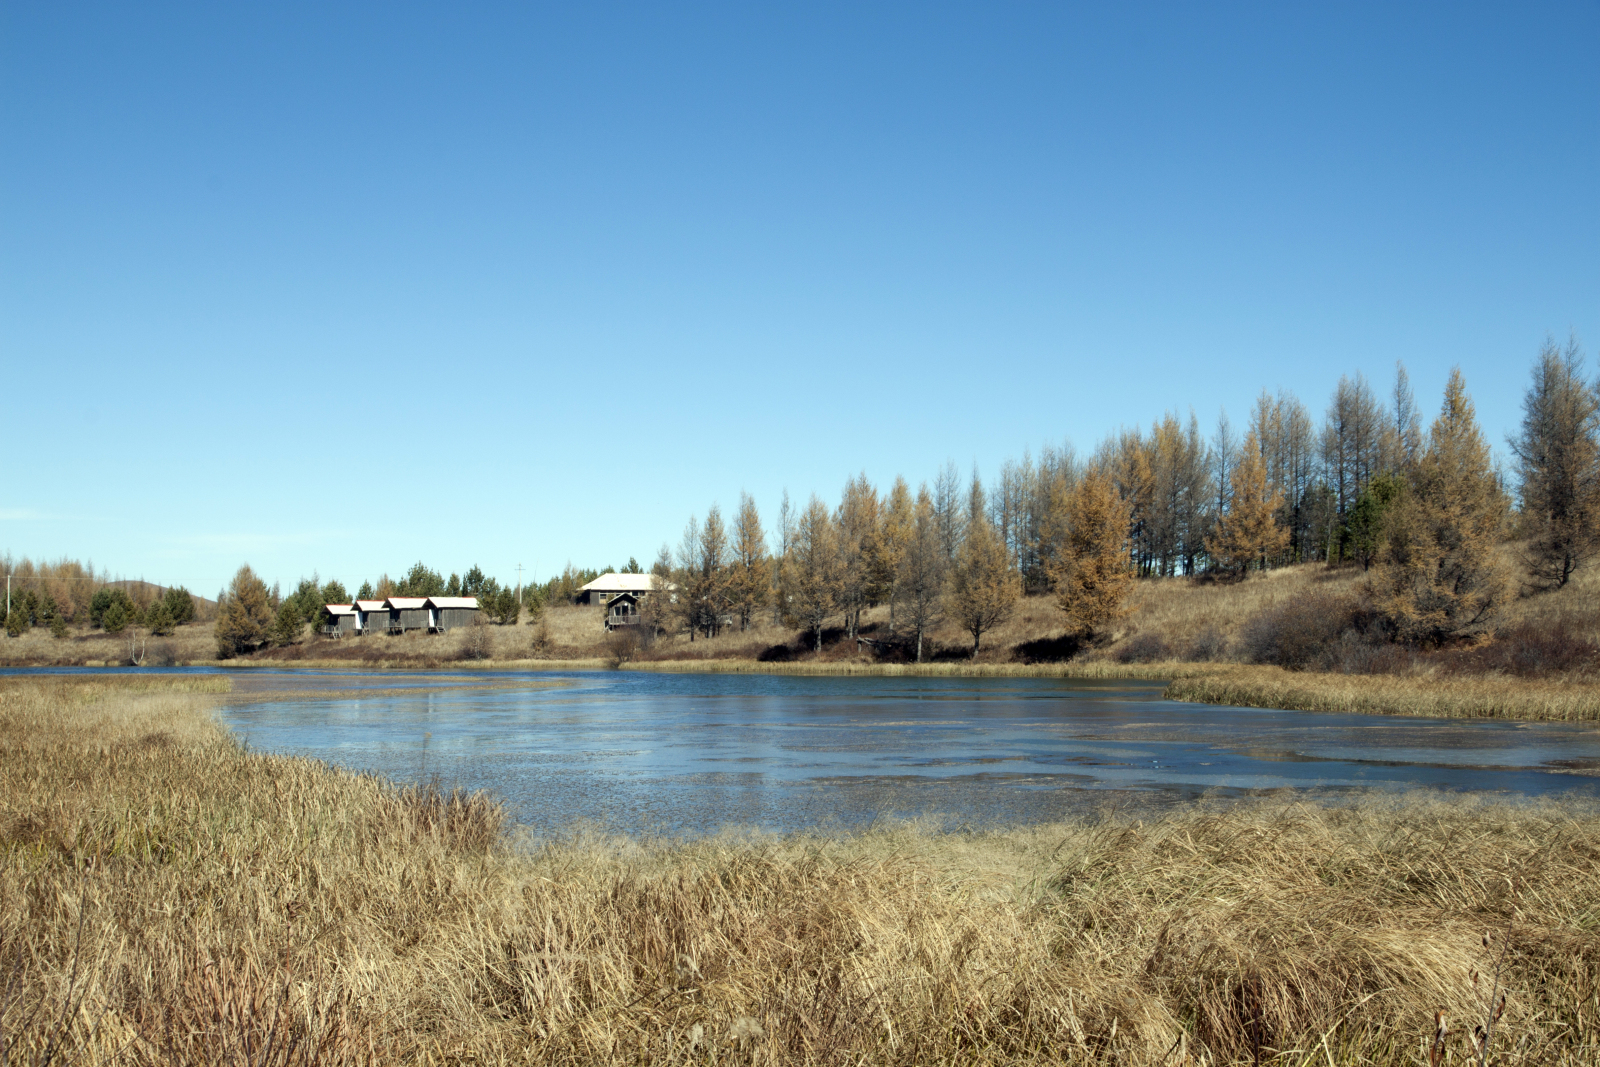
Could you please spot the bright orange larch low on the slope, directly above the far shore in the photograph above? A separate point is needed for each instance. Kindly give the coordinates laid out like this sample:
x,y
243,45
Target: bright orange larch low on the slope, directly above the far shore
x,y
1094,569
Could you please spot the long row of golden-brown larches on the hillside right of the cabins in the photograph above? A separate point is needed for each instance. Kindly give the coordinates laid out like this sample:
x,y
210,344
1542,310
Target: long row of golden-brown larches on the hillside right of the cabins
x,y
1426,511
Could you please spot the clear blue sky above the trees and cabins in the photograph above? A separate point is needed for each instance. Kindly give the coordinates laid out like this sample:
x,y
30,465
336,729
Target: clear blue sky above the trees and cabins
x,y
334,287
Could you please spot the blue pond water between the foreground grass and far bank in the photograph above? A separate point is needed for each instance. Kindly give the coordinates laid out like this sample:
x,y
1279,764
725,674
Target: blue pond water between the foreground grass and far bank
x,y
687,754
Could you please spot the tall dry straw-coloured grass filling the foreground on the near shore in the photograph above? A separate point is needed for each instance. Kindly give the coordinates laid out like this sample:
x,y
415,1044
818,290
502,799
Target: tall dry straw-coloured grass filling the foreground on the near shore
x,y
167,898
